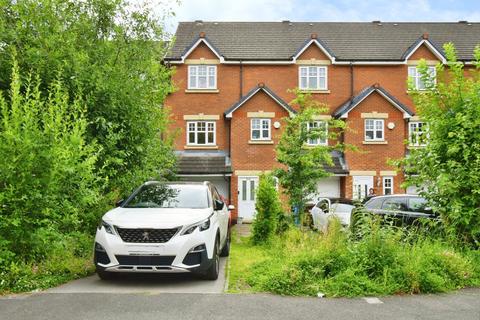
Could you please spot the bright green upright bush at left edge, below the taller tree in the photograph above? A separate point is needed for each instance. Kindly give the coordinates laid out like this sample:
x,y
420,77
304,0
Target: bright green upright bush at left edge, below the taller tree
x,y
48,184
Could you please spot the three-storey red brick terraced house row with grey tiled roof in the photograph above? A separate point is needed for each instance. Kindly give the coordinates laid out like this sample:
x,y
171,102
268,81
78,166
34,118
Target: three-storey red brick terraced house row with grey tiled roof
x,y
233,80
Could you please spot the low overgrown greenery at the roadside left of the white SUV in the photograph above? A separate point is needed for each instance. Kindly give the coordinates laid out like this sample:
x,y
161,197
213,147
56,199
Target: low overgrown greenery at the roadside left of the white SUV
x,y
67,259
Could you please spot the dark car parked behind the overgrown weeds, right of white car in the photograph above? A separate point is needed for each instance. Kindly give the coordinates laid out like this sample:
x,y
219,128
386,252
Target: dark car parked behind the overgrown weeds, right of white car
x,y
403,208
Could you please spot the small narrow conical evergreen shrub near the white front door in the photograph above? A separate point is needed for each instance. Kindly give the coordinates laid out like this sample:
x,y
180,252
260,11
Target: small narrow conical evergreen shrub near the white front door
x,y
268,210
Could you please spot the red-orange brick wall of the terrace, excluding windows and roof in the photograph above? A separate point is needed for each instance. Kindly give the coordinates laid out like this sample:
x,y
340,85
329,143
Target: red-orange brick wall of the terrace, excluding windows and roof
x,y
280,78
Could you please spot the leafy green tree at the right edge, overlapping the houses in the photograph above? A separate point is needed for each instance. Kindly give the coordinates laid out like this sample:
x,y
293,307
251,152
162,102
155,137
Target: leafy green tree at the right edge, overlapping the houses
x,y
448,167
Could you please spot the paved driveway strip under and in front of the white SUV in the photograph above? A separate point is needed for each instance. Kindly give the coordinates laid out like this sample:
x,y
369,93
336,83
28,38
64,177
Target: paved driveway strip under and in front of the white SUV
x,y
146,283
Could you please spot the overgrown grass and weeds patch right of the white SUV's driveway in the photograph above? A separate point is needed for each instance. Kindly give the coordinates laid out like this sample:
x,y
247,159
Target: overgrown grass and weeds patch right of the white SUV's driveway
x,y
385,261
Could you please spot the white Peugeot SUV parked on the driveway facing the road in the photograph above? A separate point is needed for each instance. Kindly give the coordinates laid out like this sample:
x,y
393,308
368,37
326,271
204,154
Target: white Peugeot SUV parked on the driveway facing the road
x,y
165,227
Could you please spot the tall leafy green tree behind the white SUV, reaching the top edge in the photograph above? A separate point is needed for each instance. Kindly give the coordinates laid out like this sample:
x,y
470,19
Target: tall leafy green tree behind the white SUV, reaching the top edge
x,y
109,52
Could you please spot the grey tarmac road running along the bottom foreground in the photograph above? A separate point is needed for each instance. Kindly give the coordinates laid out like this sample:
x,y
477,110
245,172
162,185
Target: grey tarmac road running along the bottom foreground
x,y
464,304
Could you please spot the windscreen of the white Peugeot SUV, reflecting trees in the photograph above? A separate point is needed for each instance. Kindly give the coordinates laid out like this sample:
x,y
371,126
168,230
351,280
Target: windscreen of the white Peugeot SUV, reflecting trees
x,y
169,196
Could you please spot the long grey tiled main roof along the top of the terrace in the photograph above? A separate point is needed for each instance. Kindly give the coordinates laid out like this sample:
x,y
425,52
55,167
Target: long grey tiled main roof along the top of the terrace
x,y
357,41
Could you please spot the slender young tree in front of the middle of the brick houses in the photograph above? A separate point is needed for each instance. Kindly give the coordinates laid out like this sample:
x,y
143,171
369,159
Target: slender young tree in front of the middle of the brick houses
x,y
304,164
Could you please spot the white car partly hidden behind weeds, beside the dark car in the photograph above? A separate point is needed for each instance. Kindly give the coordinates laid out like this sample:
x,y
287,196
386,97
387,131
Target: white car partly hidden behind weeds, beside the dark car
x,y
326,208
